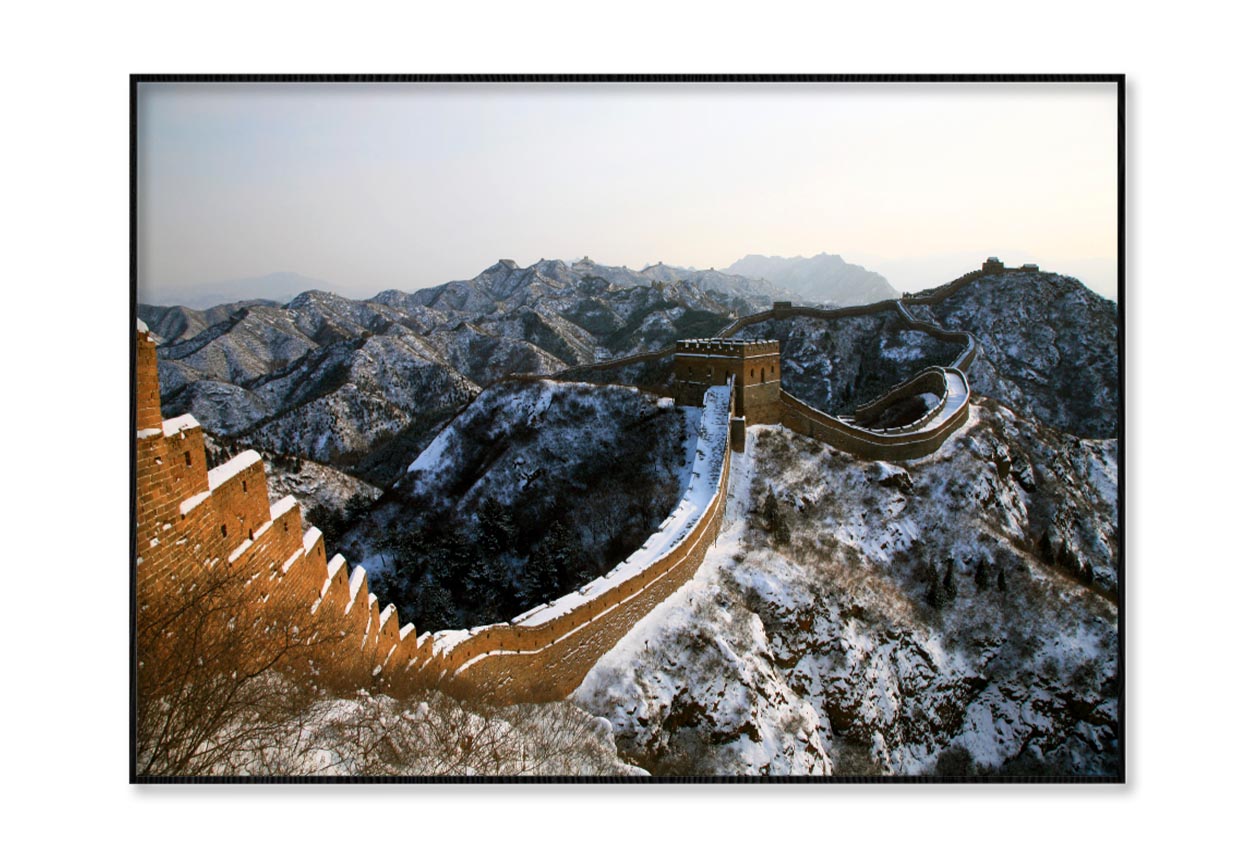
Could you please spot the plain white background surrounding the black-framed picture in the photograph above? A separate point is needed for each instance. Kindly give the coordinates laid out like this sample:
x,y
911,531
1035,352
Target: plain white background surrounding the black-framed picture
x,y
66,151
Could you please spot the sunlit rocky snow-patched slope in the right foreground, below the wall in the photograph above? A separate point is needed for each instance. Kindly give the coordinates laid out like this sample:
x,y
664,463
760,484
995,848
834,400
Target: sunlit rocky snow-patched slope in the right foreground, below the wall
x,y
826,638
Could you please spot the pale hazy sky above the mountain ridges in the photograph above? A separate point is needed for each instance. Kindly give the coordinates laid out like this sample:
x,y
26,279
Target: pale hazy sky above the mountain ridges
x,y
405,186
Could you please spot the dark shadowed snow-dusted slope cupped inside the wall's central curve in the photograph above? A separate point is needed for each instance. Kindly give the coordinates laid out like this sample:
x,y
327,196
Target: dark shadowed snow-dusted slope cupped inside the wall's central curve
x,y
536,489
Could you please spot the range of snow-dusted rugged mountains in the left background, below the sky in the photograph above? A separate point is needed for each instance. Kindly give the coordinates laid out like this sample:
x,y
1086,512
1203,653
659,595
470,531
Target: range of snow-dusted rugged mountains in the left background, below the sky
x,y
363,385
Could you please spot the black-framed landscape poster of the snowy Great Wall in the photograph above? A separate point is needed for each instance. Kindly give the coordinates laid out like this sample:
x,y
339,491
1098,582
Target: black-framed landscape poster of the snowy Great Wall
x,y
648,429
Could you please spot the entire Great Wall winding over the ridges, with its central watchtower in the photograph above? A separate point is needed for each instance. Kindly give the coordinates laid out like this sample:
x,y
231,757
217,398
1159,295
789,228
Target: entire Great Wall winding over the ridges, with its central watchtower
x,y
199,529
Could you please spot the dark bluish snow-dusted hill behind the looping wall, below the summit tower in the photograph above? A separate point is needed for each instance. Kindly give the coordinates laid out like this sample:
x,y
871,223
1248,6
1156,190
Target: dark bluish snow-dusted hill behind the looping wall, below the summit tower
x,y
1048,346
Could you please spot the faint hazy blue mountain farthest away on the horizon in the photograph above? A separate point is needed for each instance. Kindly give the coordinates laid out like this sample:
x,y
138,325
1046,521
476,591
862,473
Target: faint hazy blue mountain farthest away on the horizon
x,y
824,279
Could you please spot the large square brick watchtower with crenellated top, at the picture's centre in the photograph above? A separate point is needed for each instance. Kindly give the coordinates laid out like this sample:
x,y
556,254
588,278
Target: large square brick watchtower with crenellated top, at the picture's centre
x,y
705,363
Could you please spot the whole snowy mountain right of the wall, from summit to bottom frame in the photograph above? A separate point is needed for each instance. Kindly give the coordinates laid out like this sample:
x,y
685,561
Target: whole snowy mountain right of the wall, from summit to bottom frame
x,y
955,614
